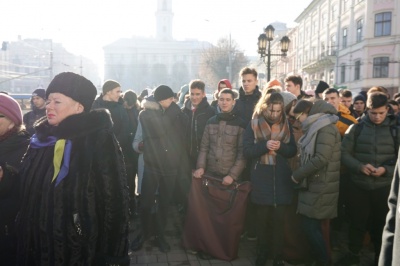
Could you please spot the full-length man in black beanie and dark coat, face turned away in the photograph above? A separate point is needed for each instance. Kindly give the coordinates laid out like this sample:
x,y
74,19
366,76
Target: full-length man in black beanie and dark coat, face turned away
x,y
163,126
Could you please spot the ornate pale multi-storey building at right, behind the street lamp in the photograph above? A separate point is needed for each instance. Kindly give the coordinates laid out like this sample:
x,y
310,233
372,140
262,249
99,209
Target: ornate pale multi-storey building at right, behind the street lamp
x,y
353,44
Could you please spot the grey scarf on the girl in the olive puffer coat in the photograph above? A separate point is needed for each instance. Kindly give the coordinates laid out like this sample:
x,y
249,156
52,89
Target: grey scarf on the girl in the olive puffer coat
x,y
310,127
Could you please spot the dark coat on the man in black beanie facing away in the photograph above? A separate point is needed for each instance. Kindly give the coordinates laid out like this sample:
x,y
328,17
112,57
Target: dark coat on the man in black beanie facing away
x,y
164,136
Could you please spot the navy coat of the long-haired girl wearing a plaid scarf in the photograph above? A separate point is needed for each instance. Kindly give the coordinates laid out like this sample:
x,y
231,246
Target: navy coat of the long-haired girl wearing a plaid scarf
x,y
271,184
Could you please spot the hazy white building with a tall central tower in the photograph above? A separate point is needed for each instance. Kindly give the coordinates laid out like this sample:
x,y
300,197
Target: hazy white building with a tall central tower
x,y
140,62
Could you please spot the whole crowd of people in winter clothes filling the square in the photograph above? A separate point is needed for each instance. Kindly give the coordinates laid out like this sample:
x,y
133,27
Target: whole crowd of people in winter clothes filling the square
x,y
76,170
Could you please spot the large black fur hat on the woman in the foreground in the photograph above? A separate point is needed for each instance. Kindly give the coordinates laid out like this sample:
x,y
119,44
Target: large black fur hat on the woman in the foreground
x,y
74,86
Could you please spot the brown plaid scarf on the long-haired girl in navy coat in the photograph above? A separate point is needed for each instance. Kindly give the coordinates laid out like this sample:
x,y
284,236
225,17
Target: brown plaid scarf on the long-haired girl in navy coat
x,y
263,131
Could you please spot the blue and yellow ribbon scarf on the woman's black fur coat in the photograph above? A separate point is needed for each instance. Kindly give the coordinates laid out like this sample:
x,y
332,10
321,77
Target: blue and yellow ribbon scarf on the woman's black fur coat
x,y
60,172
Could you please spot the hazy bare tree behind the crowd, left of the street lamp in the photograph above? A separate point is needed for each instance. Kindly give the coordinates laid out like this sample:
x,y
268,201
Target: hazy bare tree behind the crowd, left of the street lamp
x,y
217,61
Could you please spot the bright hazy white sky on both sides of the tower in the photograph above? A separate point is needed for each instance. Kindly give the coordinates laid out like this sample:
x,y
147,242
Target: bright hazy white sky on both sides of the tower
x,y
85,26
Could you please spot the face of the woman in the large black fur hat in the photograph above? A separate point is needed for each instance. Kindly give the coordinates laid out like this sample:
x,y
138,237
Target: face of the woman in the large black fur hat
x,y
59,107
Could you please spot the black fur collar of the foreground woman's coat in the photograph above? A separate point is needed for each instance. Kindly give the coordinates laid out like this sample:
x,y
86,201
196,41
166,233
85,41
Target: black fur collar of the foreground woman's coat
x,y
75,125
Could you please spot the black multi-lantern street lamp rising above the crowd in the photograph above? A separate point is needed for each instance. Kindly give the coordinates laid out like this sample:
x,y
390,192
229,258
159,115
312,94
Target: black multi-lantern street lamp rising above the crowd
x,y
264,47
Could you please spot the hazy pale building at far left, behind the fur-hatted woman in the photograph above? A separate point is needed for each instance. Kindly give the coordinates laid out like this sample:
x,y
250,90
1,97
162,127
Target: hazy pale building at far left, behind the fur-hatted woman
x,y
27,64
